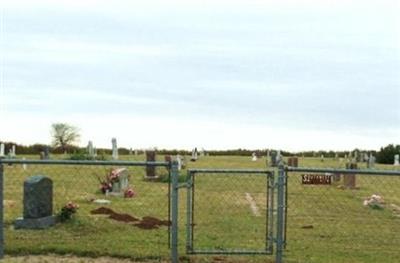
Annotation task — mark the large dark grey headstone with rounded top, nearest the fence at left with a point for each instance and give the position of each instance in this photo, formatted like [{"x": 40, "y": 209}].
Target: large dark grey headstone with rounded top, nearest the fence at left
[{"x": 38, "y": 204}]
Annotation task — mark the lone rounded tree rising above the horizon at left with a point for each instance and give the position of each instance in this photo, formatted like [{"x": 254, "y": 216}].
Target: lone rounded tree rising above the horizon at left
[{"x": 64, "y": 135}]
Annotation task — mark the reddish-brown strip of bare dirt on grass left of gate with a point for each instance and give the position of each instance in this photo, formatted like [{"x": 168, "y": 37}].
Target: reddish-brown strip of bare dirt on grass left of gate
[{"x": 147, "y": 222}]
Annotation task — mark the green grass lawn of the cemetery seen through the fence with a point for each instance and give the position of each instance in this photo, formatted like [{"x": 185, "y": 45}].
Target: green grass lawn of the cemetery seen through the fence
[{"x": 325, "y": 222}]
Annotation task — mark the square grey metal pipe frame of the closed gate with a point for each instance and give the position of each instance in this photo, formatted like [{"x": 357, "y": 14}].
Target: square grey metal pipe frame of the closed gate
[{"x": 190, "y": 185}]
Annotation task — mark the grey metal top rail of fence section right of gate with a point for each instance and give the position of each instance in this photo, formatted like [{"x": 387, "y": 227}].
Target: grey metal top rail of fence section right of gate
[{"x": 342, "y": 171}]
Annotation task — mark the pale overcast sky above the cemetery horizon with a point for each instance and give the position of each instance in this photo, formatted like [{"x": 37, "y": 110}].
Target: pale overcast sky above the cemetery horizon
[{"x": 291, "y": 75}]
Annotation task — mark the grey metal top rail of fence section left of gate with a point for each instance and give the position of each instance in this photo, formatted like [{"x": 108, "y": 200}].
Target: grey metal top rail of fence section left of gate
[{"x": 84, "y": 162}]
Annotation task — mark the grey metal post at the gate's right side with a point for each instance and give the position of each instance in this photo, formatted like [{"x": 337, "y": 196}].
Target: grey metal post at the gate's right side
[{"x": 280, "y": 213}]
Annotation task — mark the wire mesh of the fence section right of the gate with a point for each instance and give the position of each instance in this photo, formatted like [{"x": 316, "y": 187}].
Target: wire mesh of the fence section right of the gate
[{"x": 348, "y": 218}]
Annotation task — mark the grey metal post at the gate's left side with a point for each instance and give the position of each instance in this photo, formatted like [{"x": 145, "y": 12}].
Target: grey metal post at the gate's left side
[{"x": 174, "y": 212}]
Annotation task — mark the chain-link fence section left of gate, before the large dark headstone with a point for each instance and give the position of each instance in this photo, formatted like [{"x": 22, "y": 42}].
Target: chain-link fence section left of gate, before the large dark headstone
[{"x": 121, "y": 213}]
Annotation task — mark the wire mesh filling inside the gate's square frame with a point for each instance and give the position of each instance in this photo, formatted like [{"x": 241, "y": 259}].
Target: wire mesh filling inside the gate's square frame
[{"x": 229, "y": 213}]
